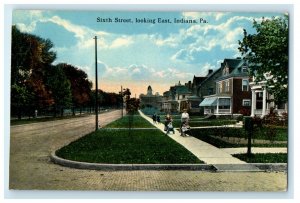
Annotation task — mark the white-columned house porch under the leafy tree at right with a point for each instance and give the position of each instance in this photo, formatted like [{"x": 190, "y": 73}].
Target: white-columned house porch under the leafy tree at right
[{"x": 262, "y": 100}]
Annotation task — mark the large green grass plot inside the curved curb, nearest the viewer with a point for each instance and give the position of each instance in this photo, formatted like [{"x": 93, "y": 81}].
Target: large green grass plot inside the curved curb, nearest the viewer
[{"x": 127, "y": 147}]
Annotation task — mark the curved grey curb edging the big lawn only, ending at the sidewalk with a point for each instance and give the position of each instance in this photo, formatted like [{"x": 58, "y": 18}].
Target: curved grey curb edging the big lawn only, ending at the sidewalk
[{"x": 125, "y": 167}]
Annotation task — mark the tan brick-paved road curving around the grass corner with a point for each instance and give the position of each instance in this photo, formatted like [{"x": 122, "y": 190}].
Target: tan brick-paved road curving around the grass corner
[{"x": 31, "y": 168}]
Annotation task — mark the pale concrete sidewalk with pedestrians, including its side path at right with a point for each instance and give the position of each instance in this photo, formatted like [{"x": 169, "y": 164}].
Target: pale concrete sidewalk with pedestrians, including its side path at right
[{"x": 220, "y": 158}]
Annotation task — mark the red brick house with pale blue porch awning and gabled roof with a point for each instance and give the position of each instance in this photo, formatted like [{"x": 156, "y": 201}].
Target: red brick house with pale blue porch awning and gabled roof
[{"x": 232, "y": 93}]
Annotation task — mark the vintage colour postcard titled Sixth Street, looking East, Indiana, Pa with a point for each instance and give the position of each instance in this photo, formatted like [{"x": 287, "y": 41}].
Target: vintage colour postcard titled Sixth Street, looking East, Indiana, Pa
[{"x": 149, "y": 101}]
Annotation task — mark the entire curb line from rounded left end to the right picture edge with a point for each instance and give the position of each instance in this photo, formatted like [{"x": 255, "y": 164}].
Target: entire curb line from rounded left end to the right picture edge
[{"x": 250, "y": 167}]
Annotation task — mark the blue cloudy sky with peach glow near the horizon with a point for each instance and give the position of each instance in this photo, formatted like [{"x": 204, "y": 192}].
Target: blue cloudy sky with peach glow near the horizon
[{"x": 136, "y": 55}]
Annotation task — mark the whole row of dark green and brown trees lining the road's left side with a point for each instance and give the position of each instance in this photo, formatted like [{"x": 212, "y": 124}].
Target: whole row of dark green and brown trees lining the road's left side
[{"x": 38, "y": 84}]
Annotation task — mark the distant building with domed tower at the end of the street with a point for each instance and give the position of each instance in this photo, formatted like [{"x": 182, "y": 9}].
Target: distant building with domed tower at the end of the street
[{"x": 150, "y": 100}]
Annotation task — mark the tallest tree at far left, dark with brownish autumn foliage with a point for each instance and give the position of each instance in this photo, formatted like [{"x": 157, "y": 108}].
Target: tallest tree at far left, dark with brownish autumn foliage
[{"x": 29, "y": 59}]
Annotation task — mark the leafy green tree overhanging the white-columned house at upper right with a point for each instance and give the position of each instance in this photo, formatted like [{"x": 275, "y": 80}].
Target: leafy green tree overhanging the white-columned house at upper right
[{"x": 267, "y": 54}]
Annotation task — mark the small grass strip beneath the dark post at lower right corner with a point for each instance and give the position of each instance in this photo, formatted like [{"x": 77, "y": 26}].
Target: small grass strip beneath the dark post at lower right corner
[{"x": 263, "y": 158}]
